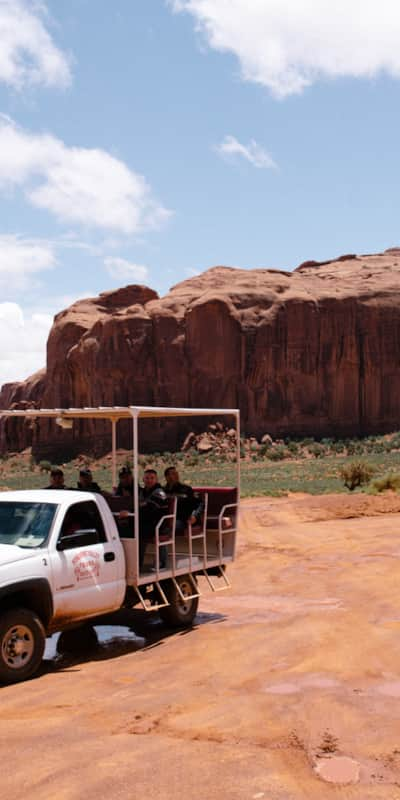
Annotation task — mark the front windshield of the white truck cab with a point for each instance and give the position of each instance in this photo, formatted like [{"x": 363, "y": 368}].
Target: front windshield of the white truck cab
[{"x": 25, "y": 524}]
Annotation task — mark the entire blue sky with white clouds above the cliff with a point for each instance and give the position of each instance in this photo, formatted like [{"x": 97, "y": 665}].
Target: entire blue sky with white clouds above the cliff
[{"x": 142, "y": 141}]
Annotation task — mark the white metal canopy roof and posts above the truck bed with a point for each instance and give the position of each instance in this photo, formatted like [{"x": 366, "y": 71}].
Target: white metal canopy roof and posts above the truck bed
[{"x": 65, "y": 416}]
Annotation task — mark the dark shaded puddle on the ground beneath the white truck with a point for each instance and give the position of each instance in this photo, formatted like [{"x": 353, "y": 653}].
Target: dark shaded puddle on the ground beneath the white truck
[{"x": 97, "y": 639}]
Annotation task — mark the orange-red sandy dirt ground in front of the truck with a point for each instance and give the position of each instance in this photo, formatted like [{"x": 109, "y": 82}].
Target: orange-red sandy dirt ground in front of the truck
[{"x": 287, "y": 688}]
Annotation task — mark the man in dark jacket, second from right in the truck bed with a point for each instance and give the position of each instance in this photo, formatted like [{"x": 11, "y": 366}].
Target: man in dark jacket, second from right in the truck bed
[{"x": 153, "y": 504}]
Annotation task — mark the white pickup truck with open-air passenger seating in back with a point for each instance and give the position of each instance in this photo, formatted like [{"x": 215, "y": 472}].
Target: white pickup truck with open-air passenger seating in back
[{"x": 63, "y": 560}]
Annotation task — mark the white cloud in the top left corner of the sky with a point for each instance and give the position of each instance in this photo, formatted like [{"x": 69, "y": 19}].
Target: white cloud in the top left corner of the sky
[{"x": 28, "y": 55}]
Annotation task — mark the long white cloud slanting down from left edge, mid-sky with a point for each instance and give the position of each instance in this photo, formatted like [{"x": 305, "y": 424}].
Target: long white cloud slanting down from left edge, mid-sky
[{"x": 81, "y": 185}]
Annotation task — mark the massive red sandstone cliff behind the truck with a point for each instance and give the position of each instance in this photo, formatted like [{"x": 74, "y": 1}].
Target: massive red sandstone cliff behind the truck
[{"x": 314, "y": 351}]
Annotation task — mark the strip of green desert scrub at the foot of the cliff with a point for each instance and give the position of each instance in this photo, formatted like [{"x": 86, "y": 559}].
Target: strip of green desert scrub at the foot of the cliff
[{"x": 269, "y": 467}]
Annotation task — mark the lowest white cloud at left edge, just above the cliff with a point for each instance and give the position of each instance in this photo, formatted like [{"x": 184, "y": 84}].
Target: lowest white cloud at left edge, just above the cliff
[{"x": 23, "y": 342}]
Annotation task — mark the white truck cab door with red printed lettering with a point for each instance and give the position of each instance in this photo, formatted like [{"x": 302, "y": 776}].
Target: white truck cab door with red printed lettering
[{"x": 85, "y": 578}]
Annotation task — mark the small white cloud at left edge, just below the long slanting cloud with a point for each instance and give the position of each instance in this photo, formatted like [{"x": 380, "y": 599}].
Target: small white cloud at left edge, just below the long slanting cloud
[{"x": 21, "y": 259}]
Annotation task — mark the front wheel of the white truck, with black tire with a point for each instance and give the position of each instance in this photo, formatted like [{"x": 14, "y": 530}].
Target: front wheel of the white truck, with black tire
[{"x": 22, "y": 643}]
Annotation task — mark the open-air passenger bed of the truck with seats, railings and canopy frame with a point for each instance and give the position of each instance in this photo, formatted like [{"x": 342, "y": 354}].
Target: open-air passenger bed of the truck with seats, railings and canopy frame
[{"x": 203, "y": 551}]
